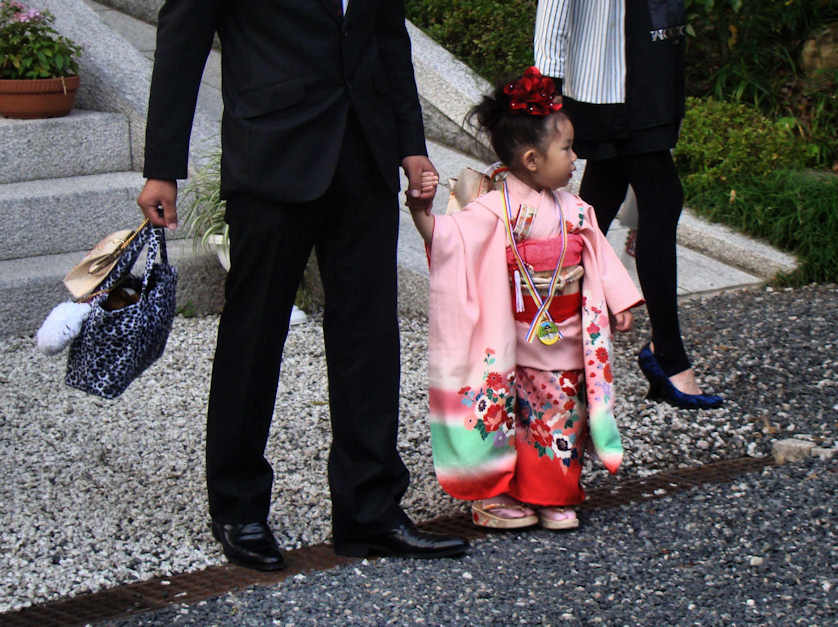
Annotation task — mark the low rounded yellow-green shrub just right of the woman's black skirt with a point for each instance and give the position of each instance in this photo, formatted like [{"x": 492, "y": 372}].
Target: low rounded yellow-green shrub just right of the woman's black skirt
[{"x": 728, "y": 141}]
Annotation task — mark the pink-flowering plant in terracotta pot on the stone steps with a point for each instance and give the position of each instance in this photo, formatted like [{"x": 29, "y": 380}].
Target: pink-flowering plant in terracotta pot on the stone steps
[{"x": 38, "y": 65}]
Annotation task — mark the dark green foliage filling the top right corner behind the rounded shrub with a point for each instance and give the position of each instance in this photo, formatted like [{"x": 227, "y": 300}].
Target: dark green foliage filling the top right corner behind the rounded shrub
[{"x": 750, "y": 51}]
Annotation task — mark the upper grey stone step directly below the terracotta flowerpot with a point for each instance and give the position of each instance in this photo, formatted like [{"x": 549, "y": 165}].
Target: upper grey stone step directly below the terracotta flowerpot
[{"x": 84, "y": 142}]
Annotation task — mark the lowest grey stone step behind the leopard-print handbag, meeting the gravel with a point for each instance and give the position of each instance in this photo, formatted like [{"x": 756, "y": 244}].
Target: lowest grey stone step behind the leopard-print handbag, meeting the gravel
[{"x": 31, "y": 287}]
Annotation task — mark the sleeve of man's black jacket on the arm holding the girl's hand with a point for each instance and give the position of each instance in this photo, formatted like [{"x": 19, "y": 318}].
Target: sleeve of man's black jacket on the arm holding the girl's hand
[{"x": 394, "y": 44}]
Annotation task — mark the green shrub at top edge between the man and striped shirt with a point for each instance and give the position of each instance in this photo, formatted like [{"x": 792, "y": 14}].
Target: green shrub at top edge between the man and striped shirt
[{"x": 493, "y": 37}]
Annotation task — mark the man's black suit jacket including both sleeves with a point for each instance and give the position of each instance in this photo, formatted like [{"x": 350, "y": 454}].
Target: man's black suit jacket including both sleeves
[{"x": 291, "y": 72}]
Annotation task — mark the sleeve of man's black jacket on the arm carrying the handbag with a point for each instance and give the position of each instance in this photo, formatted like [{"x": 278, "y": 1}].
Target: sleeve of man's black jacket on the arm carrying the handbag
[{"x": 184, "y": 38}]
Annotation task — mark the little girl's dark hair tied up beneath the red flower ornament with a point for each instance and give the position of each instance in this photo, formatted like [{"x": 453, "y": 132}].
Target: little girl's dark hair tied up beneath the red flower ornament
[{"x": 511, "y": 132}]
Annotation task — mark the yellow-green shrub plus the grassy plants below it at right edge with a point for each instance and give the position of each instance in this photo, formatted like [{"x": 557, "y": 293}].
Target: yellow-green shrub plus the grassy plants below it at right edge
[{"x": 746, "y": 171}]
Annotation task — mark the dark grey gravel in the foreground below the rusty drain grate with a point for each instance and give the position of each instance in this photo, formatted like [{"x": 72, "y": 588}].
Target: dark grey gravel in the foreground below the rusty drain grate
[{"x": 761, "y": 550}]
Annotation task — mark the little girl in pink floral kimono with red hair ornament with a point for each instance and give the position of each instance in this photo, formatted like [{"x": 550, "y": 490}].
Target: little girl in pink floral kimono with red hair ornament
[{"x": 520, "y": 348}]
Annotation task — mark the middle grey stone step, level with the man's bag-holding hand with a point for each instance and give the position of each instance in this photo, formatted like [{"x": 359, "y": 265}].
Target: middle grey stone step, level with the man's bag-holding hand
[{"x": 52, "y": 216}]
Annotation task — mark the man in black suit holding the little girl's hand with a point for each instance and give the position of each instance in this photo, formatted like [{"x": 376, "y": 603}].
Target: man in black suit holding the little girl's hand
[{"x": 320, "y": 108}]
